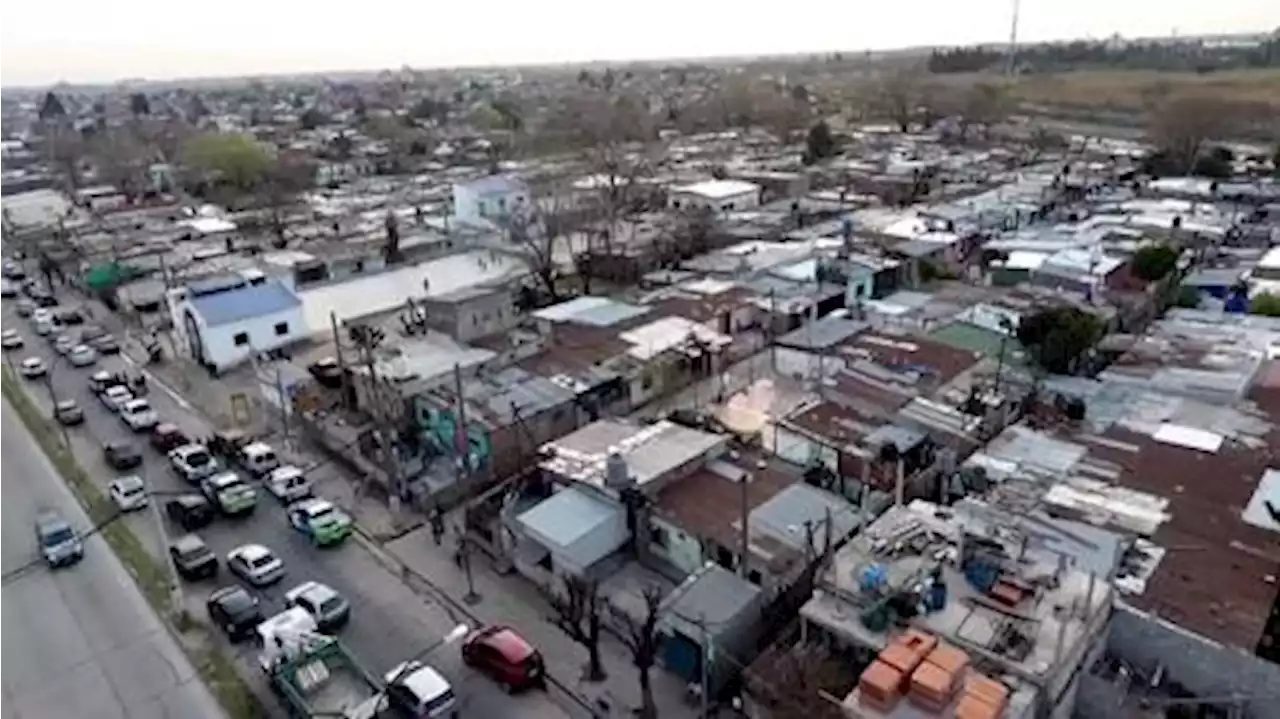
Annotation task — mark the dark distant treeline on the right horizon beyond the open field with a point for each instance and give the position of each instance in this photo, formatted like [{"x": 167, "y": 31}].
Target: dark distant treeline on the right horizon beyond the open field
[{"x": 1177, "y": 57}]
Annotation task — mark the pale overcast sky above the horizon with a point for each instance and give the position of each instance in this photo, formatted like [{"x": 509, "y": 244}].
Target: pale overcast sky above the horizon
[{"x": 43, "y": 43}]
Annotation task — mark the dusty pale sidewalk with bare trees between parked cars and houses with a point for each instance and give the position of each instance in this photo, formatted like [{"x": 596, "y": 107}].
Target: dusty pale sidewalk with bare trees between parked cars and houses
[{"x": 513, "y": 601}]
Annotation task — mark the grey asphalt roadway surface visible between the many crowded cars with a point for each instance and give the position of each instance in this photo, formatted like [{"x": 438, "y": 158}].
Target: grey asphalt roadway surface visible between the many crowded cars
[{"x": 391, "y": 622}]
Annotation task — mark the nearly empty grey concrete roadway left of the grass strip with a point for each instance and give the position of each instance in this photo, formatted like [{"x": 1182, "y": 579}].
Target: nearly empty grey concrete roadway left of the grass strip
[{"x": 80, "y": 642}]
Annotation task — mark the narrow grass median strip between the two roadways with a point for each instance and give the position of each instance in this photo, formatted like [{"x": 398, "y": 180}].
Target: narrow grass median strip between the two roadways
[{"x": 150, "y": 575}]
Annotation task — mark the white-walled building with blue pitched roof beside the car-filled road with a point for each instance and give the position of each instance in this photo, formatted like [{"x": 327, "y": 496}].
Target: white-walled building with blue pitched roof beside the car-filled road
[{"x": 221, "y": 324}]
